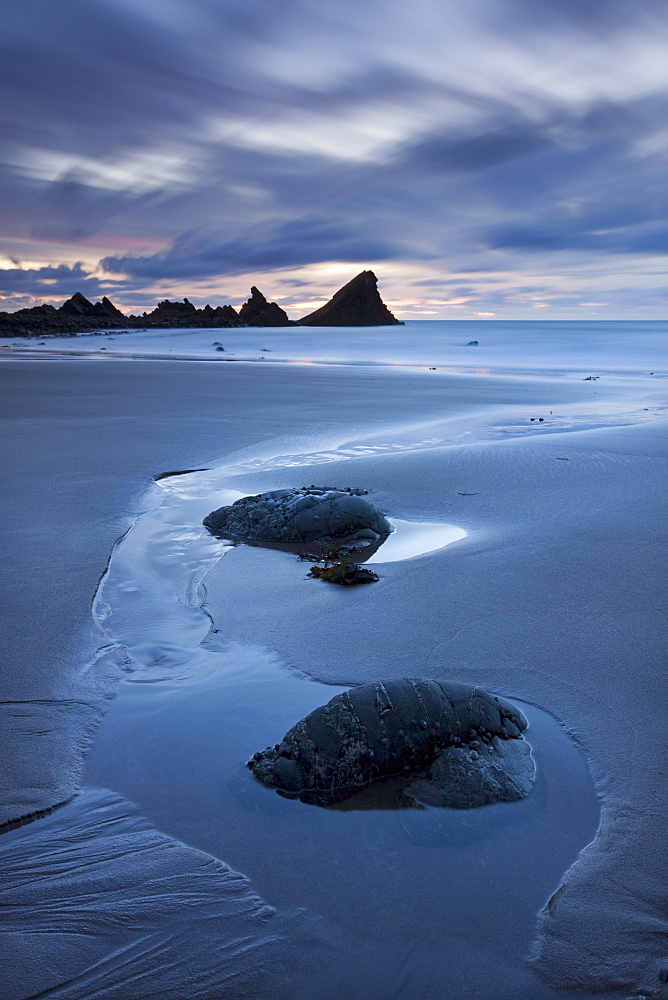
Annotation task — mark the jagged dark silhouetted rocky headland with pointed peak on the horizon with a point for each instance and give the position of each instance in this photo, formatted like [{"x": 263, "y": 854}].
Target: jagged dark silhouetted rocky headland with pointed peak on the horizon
[{"x": 356, "y": 304}]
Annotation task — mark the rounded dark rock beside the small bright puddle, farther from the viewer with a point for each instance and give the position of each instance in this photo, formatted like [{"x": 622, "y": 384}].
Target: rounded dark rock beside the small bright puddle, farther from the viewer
[{"x": 321, "y": 518}]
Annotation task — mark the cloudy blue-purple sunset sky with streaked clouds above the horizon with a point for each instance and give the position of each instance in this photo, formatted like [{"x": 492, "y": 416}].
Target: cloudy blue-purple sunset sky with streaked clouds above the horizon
[{"x": 487, "y": 159}]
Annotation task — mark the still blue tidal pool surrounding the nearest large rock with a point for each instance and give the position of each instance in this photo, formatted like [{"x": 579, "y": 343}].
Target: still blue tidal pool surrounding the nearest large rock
[{"x": 390, "y": 874}]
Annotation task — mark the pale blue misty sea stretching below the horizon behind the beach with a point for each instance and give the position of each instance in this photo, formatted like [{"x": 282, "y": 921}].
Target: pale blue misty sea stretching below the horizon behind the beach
[{"x": 548, "y": 347}]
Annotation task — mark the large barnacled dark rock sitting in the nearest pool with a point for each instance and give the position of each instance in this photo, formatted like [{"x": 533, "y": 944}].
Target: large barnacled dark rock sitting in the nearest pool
[{"x": 421, "y": 730}]
